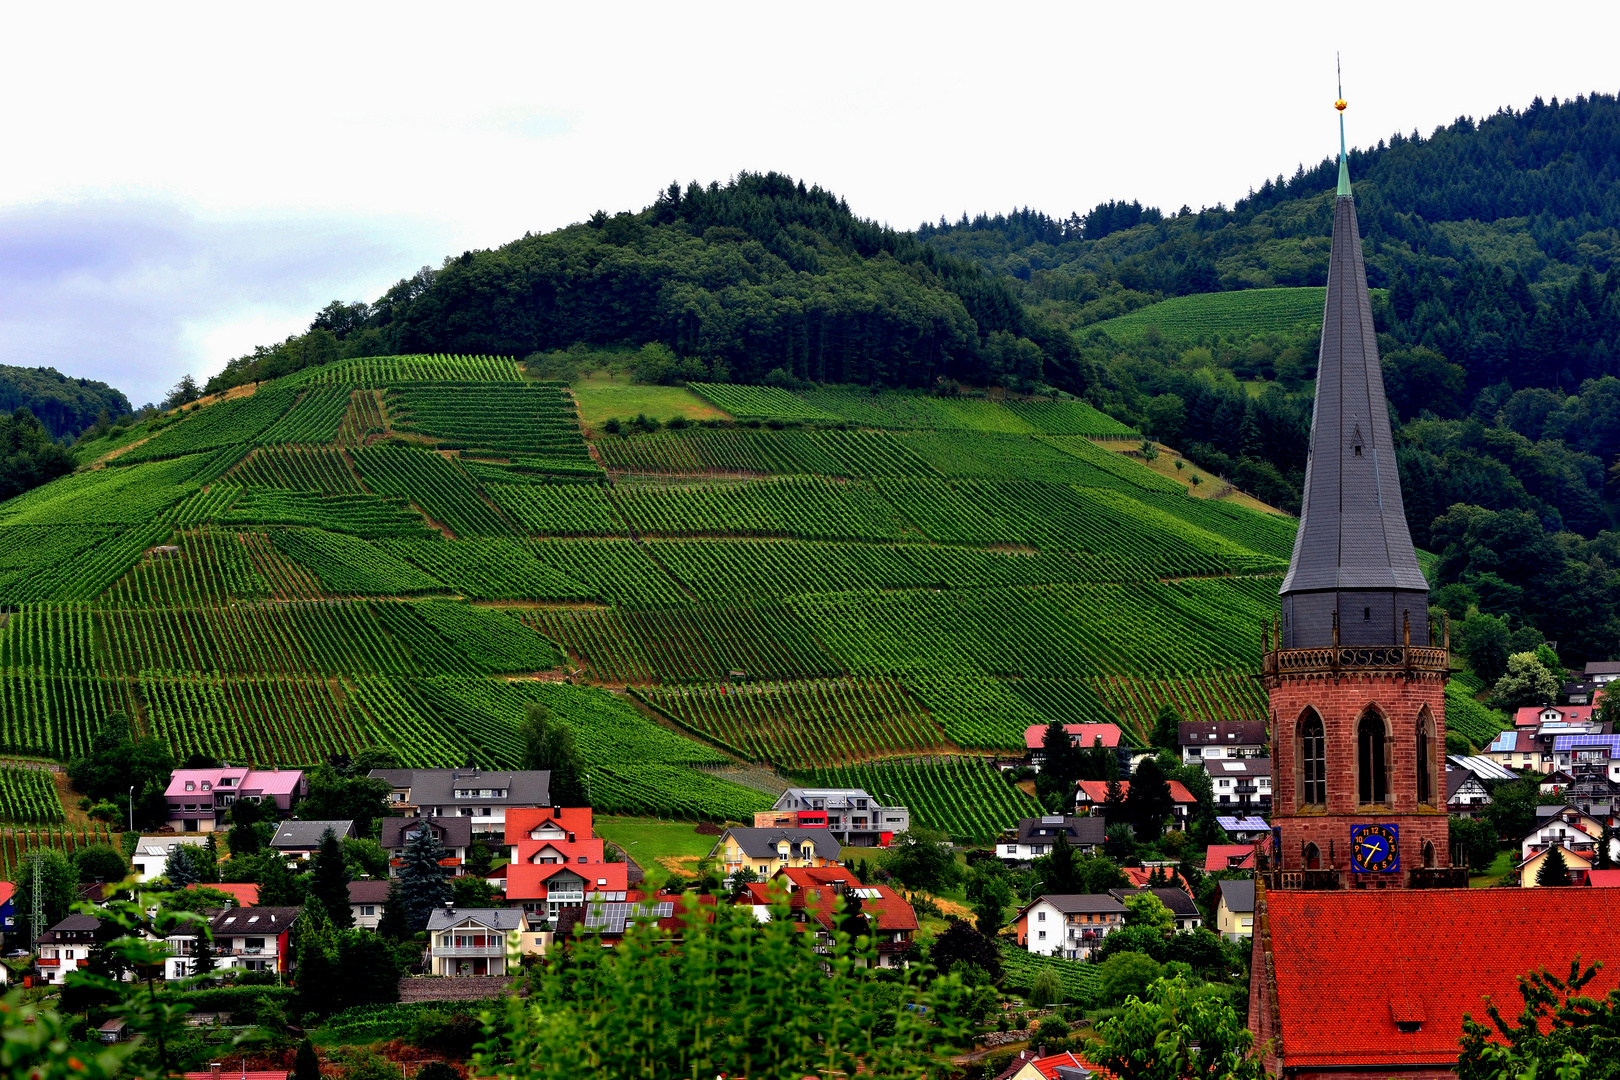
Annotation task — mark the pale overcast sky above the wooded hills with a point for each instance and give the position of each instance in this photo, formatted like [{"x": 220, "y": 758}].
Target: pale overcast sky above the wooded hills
[{"x": 182, "y": 185}]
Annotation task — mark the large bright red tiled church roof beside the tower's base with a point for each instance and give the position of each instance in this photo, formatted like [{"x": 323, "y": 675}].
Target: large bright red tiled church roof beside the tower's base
[{"x": 1349, "y": 963}]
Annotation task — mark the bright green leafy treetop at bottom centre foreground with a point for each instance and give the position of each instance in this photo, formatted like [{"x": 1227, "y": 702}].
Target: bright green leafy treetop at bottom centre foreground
[{"x": 733, "y": 998}]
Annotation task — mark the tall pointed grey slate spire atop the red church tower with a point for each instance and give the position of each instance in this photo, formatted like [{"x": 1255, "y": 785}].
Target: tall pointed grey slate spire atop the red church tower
[{"x": 1354, "y": 559}]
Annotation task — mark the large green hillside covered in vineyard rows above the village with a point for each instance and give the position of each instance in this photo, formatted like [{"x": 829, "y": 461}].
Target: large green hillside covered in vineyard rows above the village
[{"x": 406, "y": 551}]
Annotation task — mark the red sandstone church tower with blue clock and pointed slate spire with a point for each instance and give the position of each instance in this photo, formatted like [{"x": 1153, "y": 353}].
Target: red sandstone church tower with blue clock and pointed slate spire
[{"x": 1357, "y": 687}]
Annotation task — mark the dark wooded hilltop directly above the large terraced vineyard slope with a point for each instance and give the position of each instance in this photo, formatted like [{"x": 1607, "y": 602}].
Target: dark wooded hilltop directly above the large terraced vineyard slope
[{"x": 757, "y": 276}]
